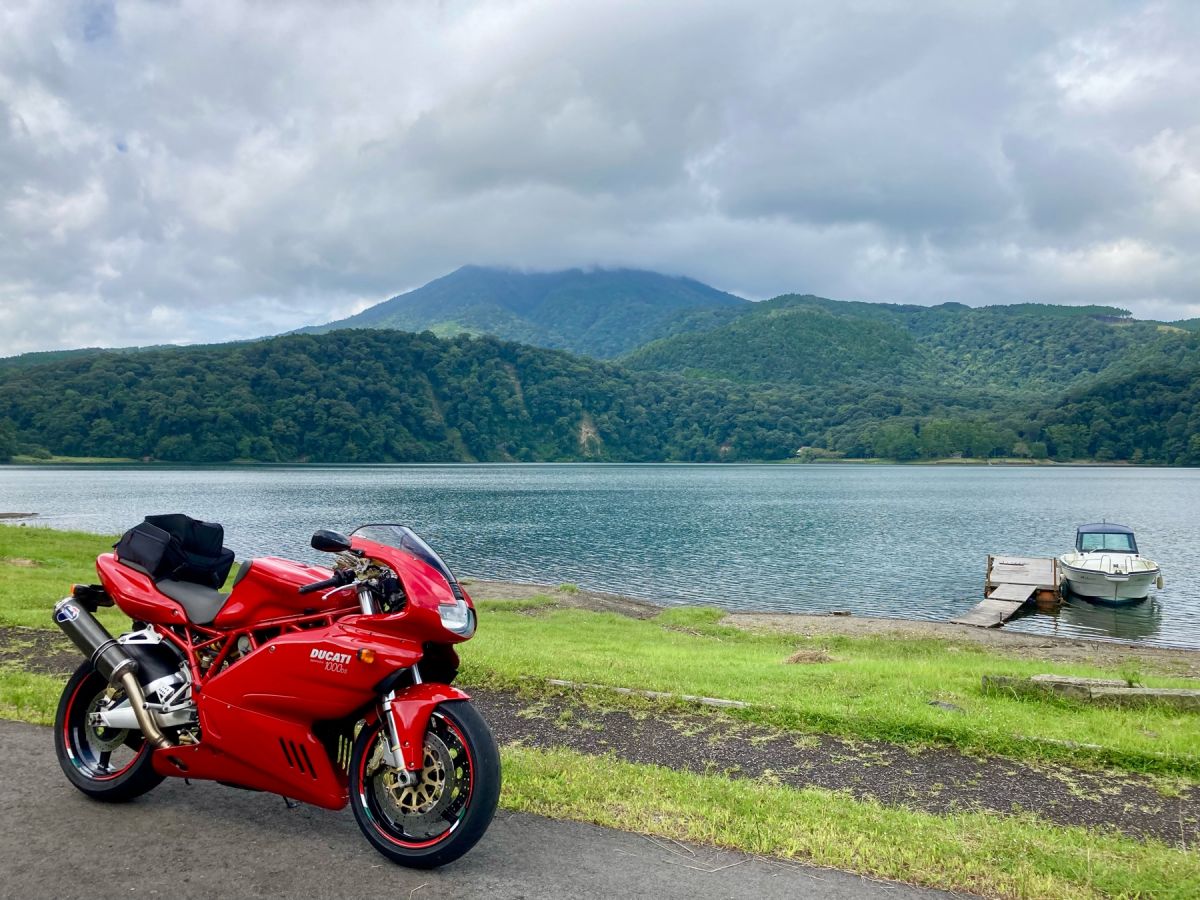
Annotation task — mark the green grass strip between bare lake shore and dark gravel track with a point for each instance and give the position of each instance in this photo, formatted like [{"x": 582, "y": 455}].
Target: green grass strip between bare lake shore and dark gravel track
[{"x": 878, "y": 688}]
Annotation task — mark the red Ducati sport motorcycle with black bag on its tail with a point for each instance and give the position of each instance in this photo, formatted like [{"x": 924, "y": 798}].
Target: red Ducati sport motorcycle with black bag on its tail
[{"x": 325, "y": 686}]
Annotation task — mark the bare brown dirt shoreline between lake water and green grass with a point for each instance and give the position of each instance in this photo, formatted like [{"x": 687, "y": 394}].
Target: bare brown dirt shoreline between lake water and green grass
[{"x": 1173, "y": 661}]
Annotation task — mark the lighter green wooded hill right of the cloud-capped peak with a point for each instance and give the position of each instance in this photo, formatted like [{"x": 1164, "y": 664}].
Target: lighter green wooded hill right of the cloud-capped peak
[{"x": 1004, "y": 351}]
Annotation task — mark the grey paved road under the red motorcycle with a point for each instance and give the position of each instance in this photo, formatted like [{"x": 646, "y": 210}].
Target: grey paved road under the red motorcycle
[{"x": 212, "y": 842}]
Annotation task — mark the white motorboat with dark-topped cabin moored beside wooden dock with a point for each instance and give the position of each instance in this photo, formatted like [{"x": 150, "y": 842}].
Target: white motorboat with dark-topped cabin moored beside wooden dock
[{"x": 1106, "y": 566}]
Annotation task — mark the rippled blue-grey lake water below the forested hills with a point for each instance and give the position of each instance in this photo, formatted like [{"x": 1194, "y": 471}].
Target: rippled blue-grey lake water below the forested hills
[{"x": 880, "y": 541}]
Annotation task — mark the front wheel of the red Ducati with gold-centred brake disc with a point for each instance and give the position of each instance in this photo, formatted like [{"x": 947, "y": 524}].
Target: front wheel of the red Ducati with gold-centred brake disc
[{"x": 447, "y": 811}]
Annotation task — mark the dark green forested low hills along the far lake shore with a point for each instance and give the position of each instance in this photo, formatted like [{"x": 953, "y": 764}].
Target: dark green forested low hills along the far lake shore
[{"x": 393, "y": 397}]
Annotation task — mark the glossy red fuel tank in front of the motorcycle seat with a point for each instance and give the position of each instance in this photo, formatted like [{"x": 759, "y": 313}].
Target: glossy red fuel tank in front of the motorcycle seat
[{"x": 271, "y": 591}]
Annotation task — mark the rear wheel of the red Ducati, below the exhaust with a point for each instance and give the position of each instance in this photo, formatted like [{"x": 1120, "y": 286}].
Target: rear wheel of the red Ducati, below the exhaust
[{"x": 106, "y": 765}]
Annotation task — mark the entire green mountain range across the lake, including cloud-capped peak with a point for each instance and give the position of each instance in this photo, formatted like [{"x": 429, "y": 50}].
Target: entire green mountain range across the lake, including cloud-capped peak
[{"x": 722, "y": 380}]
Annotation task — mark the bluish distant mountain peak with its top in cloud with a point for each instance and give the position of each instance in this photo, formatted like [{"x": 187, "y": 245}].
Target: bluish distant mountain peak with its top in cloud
[{"x": 597, "y": 313}]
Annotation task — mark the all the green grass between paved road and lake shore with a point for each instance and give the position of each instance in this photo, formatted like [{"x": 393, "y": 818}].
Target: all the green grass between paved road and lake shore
[{"x": 875, "y": 688}]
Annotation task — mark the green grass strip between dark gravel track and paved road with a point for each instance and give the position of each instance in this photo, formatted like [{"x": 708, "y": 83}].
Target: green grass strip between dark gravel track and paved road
[{"x": 997, "y": 856}]
